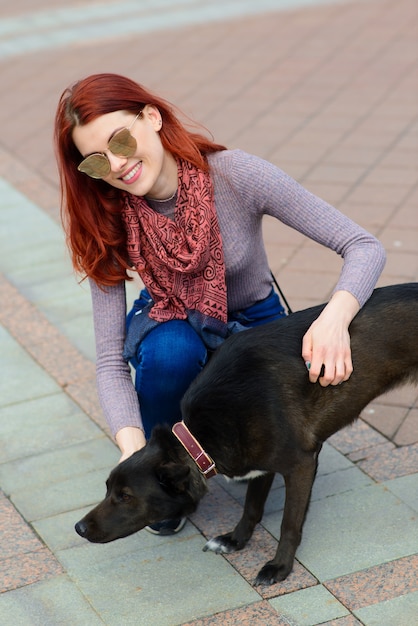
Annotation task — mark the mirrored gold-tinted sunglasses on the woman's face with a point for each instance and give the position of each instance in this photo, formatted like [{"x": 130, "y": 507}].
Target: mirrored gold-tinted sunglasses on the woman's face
[{"x": 97, "y": 165}]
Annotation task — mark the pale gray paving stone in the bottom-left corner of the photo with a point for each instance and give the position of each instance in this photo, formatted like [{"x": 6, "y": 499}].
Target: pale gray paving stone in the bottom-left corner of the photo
[{"x": 54, "y": 602}]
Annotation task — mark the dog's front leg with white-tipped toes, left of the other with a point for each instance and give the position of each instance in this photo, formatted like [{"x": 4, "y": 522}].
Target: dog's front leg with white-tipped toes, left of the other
[{"x": 257, "y": 492}]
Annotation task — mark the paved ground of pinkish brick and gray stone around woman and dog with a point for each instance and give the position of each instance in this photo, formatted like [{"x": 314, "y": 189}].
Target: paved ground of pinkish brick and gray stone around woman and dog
[{"x": 326, "y": 91}]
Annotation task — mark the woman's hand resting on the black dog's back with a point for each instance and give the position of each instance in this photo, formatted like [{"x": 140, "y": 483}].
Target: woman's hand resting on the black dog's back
[{"x": 326, "y": 345}]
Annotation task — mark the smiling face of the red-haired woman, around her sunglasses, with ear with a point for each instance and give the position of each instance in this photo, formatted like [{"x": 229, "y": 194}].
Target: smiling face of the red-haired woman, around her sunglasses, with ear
[{"x": 151, "y": 171}]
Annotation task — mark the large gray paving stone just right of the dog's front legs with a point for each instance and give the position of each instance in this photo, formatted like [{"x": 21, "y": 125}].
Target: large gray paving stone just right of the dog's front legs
[{"x": 354, "y": 530}]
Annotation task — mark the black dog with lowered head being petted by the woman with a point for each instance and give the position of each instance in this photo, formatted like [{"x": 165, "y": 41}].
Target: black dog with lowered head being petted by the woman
[{"x": 254, "y": 410}]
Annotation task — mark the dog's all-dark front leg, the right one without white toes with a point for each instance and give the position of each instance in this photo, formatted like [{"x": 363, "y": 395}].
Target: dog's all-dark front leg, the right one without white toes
[{"x": 298, "y": 491}]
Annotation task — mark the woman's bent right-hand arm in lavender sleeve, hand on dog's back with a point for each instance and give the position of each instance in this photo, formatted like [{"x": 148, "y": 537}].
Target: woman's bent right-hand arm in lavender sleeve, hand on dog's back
[{"x": 327, "y": 342}]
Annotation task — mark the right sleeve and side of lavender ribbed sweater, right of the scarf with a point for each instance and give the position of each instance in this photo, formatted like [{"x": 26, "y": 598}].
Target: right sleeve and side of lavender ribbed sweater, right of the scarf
[{"x": 246, "y": 188}]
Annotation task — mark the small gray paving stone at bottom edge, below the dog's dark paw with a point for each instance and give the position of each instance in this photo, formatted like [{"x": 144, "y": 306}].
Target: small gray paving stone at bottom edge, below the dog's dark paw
[{"x": 309, "y": 607}]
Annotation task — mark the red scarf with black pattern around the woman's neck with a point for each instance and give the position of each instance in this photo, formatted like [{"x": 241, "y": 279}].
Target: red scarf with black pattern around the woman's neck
[{"x": 181, "y": 262}]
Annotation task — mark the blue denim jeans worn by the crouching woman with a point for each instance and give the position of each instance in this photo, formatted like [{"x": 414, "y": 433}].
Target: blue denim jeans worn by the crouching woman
[{"x": 172, "y": 354}]
